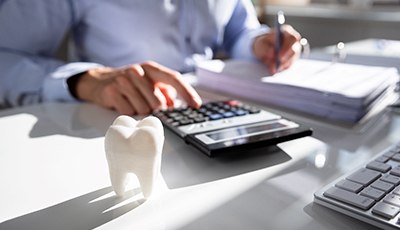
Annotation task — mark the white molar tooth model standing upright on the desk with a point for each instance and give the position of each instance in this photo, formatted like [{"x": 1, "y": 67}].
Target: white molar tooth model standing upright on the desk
[{"x": 134, "y": 147}]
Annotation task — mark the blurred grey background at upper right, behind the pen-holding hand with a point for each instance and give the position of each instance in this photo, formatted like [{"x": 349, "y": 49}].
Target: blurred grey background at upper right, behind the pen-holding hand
[{"x": 326, "y": 22}]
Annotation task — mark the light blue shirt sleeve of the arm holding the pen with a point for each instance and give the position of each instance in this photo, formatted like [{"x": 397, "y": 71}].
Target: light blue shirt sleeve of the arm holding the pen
[{"x": 241, "y": 30}]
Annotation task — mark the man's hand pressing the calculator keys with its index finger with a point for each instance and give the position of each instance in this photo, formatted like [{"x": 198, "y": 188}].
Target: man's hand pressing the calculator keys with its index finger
[{"x": 136, "y": 89}]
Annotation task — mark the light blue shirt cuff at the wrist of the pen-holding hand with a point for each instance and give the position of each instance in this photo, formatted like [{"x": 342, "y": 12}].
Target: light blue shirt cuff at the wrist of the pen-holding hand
[{"x": 243, "y": 49}]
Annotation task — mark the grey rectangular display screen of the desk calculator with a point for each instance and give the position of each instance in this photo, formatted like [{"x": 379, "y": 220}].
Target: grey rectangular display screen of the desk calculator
[{"x": 244, "y": 131}]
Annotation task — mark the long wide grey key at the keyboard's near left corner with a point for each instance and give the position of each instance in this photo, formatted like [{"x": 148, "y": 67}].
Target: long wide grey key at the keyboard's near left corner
[{"x": 349, "y": 198}]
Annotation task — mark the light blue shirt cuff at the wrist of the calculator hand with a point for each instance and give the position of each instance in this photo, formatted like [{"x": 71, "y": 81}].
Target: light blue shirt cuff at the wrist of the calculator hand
[{"x": 55, "y": 86}]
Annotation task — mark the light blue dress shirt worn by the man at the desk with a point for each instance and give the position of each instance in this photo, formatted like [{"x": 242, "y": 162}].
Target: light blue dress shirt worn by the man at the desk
[{"x": 174, "y": 33}]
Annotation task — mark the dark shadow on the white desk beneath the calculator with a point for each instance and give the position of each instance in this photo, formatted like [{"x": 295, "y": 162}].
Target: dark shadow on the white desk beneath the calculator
[{"x": 183, "y": 165}]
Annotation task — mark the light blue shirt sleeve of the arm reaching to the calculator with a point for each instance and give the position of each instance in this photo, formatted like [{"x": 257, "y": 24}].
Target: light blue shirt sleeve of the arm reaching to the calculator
[{"x": 31, "y": 32}]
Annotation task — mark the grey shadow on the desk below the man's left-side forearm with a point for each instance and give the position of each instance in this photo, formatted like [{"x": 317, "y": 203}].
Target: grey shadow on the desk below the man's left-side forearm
[{"x": 72, "y": 119}]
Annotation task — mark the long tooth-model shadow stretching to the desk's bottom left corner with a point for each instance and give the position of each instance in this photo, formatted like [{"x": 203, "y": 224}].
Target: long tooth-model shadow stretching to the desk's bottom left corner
[{"x": 84, "y": 212}]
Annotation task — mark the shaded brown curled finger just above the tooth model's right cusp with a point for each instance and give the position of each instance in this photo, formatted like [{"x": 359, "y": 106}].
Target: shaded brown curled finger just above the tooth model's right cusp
[{"x": 132, "y": 94}]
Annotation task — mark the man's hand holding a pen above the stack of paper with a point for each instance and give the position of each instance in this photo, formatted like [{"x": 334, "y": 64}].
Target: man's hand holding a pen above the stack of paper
[{"x": 263, "y": 48}]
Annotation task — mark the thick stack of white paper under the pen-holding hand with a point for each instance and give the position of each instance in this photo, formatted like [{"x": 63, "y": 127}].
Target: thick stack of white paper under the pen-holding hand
[{"x": 336, "y": 91}]
